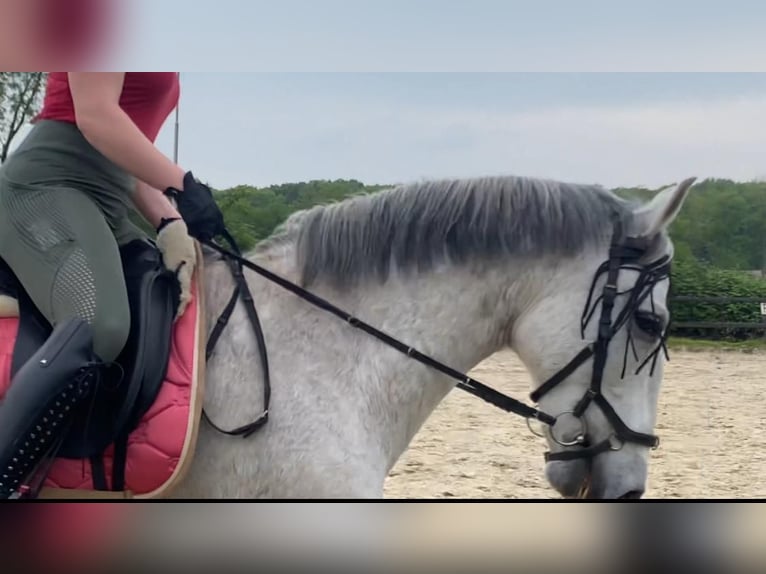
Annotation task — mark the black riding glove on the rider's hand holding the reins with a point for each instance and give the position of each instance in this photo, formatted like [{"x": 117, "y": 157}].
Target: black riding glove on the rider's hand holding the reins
[{"x": 198, "y": 209}]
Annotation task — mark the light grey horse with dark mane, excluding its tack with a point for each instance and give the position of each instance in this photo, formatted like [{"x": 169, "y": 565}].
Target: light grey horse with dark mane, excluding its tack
[{"x": 459, "y": 269}]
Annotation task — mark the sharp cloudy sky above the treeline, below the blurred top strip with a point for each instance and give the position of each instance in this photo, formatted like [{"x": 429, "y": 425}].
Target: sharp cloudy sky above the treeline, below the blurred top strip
[{"x": 615, "y": 129}]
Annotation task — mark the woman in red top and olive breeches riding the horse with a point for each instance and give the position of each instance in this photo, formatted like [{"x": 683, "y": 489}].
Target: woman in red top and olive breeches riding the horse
[{"x": 65, "y": 198}]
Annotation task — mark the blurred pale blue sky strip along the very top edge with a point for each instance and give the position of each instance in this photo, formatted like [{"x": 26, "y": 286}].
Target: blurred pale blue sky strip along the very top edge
[{"x": 443, "y": 35}]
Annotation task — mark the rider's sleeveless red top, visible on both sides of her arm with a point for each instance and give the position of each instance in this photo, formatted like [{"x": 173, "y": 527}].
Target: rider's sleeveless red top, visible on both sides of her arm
[{"x": 147, "y": 98}]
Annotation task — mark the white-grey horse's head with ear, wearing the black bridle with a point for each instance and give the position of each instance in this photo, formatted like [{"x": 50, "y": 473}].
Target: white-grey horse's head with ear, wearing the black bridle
[{"x": 594, "y": 340}]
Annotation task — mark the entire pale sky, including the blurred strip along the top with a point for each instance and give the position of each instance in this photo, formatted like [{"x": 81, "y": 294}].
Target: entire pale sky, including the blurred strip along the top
[{"x": 595, "y": 91}]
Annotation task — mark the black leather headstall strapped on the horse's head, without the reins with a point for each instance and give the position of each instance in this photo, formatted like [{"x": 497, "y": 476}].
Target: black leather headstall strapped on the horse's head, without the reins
[{"x": 623, "y": 254}]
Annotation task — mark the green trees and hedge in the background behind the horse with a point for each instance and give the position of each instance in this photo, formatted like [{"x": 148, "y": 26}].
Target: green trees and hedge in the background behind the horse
[{"x": 720, "y": 233}]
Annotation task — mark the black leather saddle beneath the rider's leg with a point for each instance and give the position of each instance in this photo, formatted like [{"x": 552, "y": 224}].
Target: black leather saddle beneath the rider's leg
[{"x": 129, "y": 387}]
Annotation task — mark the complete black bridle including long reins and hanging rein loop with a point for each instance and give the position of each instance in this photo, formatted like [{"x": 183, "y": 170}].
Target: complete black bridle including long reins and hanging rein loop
[{"x": 623, "y": 254}]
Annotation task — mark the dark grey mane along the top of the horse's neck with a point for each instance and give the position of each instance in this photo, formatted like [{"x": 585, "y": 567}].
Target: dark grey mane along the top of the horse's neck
[{"x": 418, "y": 225}]
